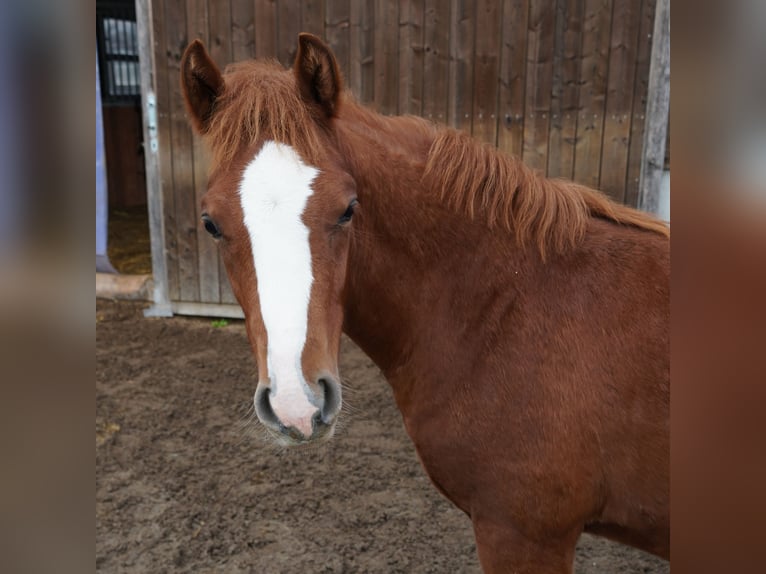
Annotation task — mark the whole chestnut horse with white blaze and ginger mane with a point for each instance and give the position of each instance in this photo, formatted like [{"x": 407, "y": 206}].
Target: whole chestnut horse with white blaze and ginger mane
[{"x": 522, "y": 322}]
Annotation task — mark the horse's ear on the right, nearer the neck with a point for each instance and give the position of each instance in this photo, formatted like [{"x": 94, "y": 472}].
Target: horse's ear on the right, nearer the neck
[{"x": 316, "y": 70}]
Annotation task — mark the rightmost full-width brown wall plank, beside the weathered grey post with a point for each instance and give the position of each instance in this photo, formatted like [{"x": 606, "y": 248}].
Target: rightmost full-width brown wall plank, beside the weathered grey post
[{"x": 619, "y": 97}]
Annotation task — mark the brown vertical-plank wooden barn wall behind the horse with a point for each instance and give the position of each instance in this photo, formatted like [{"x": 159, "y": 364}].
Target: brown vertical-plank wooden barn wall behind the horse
[{"x": 561, "y": 83}]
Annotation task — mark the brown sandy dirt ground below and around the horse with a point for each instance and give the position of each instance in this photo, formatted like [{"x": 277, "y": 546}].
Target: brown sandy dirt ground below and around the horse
[{"x": 186, "y": 481}]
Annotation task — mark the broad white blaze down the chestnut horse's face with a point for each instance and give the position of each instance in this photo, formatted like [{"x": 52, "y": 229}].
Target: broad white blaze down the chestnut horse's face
[{"x": 274, "y": 190}]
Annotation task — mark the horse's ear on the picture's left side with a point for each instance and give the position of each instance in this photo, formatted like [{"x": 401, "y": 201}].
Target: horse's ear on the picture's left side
[{"x": 201, "y": 82}]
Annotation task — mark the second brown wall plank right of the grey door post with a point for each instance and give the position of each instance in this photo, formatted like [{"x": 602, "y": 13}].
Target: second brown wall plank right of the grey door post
[{"x": 183, "y": 162}]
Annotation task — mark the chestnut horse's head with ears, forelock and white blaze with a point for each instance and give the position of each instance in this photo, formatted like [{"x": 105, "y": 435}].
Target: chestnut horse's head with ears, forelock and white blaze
[{"x": 280, "y": 205}]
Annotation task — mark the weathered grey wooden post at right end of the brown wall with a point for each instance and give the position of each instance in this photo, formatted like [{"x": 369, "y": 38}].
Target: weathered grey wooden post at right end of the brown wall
[{"x": 657, "y": 111}]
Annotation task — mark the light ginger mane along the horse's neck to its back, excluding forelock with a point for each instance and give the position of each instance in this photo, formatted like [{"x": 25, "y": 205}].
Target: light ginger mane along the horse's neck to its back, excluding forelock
[{"x": 478, "y": 180}]
